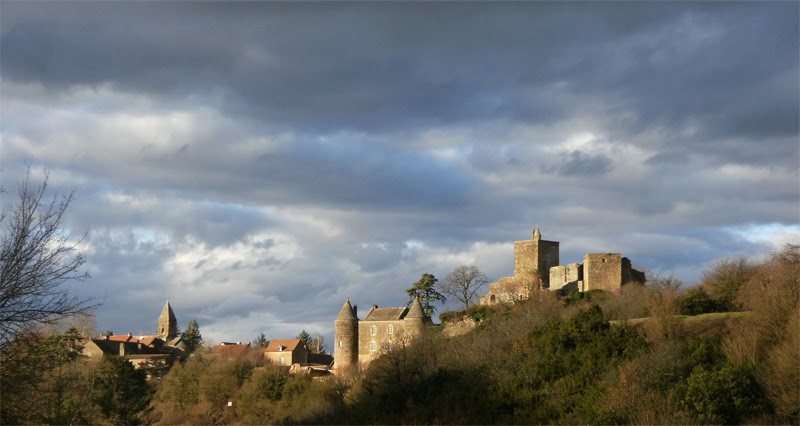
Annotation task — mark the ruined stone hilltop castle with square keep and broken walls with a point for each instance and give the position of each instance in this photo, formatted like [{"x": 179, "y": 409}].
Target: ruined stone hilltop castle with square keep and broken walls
[{"x": 536, "y": 265}]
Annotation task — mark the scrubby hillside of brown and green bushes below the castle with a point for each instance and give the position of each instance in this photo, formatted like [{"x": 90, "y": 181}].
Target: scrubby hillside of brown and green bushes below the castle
[{"x": 725, "y": 351}]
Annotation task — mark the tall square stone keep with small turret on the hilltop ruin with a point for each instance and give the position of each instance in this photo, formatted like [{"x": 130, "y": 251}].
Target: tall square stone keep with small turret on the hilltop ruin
[{"x": 535, "y": 257}]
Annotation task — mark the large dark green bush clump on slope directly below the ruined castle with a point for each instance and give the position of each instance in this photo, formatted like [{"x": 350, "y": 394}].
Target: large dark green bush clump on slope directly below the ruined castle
[{"x": 560, "y": 366}]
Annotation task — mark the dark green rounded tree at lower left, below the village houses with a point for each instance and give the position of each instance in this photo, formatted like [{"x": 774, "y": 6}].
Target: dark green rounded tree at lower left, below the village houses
[{"x": 120, "y": 392}]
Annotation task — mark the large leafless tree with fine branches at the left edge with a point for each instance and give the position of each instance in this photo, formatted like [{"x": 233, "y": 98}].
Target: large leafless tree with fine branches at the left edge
[{"x": 36, "y": 259}]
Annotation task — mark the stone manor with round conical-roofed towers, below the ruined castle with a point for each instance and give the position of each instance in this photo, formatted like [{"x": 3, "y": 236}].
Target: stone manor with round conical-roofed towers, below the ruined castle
[{"x": 358, "y": 342}]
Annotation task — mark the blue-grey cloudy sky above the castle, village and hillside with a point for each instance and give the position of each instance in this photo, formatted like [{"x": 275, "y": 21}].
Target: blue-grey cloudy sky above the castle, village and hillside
[{"x": 257, "y": 163}]
